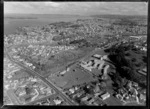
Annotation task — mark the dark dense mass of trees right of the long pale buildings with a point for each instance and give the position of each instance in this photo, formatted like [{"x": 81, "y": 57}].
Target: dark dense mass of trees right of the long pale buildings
[{"x": 124, "y": 67}]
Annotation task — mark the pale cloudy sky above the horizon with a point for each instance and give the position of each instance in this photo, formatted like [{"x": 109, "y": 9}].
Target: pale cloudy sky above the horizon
[{"x": 77, "y": 8}]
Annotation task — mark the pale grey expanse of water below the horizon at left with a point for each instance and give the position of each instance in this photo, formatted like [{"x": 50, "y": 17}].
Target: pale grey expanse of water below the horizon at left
[{"x": 10, "y": 25}]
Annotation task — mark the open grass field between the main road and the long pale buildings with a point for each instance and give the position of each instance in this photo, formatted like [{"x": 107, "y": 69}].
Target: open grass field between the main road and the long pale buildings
[{"x": 73, "y": 77}]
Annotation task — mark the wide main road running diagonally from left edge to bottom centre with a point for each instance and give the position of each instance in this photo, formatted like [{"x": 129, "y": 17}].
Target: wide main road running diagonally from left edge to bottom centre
[{"x": 58, "y": 90}]
